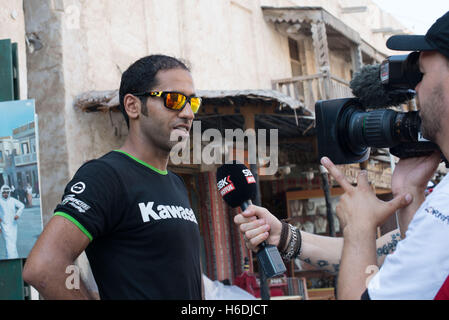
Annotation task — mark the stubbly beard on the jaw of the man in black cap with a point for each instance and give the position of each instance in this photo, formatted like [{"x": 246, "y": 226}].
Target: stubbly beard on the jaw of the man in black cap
[{"x": 432, "y": 112}]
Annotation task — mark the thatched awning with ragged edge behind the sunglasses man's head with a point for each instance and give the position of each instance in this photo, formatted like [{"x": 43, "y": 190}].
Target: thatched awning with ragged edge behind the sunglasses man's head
[{"x": 289, "y": 115}]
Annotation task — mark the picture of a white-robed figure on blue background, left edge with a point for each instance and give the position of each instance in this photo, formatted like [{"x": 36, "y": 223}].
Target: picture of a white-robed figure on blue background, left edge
[{"x": 20, "y": 202}]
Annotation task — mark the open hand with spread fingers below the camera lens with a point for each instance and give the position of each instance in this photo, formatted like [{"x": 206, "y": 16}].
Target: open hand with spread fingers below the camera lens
[{"x": 359, "y": 210}]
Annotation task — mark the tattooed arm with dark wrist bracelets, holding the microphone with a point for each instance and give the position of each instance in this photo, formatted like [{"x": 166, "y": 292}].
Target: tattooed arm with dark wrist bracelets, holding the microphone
[{"x": 321, "y": 252}]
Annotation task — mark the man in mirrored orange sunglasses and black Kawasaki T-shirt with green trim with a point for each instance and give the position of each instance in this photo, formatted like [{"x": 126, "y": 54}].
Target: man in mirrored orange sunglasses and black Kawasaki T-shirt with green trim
[{"x": 130, "y": 214}]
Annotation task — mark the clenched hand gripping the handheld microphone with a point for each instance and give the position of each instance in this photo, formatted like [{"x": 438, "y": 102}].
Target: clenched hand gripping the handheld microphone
[{"x": 257, "y": 225}]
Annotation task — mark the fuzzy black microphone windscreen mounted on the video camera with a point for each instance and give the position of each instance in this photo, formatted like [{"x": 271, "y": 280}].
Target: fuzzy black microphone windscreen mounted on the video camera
[{"x": 367, "y": 86}]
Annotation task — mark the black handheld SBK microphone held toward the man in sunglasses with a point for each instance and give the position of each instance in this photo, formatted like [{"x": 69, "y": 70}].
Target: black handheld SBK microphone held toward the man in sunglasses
[{"x": 237, "y": 186}]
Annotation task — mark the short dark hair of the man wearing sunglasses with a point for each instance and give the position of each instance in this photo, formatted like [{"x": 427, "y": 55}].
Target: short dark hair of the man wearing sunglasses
[{"x": 141, "y": 76}]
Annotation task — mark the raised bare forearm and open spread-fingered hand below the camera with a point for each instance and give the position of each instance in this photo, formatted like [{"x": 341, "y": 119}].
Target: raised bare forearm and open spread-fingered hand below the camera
[{"x": 360, "y": 213}]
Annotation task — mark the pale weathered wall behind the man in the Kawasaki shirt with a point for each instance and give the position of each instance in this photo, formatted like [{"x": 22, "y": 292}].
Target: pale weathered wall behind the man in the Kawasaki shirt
[{"x": 88, "y": 44}]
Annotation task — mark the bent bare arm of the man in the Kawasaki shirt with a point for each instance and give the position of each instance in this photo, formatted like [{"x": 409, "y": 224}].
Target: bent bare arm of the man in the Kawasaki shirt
[{"x": 57, "y": 247}]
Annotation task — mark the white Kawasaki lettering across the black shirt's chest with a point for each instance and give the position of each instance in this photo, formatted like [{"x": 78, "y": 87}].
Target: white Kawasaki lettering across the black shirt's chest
[{"x": 165, "y": 212}]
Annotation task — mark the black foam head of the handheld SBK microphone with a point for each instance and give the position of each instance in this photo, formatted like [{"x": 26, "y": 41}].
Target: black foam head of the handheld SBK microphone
[{"x": 236, "y": 183}]
